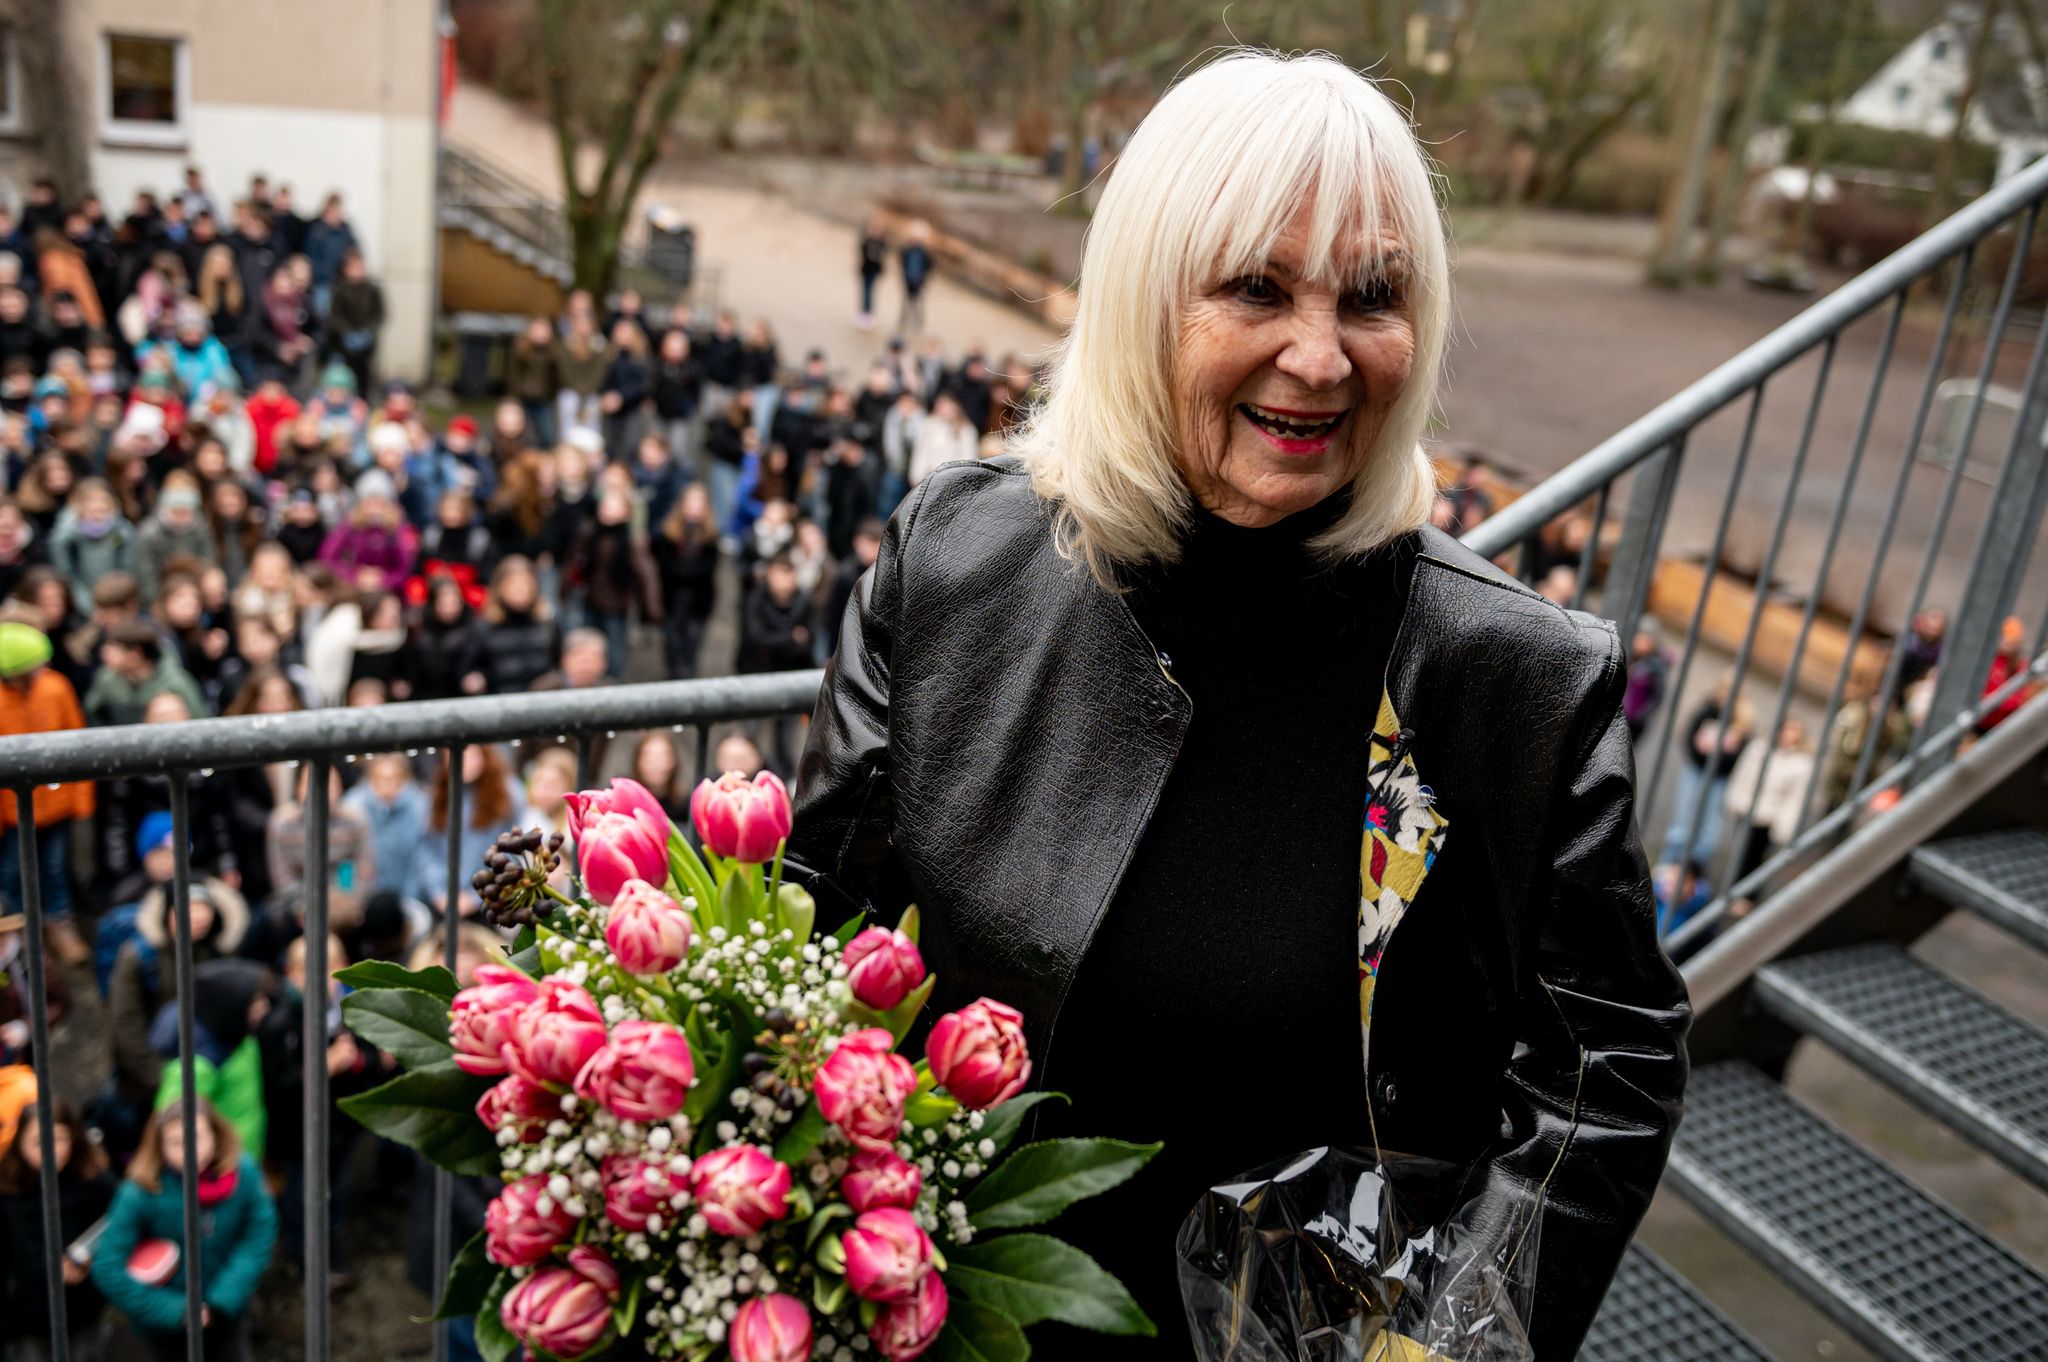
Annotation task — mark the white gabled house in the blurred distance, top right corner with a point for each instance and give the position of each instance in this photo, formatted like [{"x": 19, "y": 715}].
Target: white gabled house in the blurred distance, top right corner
[{"x": 1920, "y": 87}]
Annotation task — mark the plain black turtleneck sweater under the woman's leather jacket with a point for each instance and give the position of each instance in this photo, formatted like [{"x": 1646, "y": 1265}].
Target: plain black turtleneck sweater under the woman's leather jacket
[{"x": 1218, "y": 1009}]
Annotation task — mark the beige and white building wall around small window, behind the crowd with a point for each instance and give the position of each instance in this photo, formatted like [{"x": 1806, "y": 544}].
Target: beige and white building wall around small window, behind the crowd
[{"x": 321, "y": 95}]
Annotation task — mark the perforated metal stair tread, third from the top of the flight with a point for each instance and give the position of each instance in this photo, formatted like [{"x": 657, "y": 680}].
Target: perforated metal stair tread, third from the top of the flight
[{"x": 1891, "y": 1265}]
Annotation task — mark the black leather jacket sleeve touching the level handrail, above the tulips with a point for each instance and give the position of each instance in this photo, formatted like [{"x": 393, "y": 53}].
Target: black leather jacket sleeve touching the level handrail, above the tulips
[{"x": 841, "y": 847}]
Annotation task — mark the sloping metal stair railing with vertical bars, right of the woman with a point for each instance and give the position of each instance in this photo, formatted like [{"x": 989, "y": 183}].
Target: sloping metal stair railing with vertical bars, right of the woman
[{"x": 1619, "y": 566}]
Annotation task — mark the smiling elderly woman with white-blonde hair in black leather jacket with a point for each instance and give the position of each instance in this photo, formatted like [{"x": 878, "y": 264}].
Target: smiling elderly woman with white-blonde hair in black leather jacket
[{"x": 1170, "y": 716}]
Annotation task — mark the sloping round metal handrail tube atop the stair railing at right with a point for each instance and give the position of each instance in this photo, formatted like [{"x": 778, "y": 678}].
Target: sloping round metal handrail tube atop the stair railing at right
[{"x": 1738, "y": 376}]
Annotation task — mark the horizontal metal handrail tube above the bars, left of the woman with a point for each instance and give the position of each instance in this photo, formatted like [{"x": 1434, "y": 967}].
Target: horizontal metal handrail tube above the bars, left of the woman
[{"x": 255, "y": 740}]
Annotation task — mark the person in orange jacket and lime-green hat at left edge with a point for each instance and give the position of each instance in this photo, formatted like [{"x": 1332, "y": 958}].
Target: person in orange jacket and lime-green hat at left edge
[{"x": 38, "y": 699}]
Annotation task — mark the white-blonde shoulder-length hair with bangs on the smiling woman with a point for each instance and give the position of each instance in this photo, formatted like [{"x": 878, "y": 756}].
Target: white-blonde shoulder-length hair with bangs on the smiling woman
[{"x": 1211, "y": 179}]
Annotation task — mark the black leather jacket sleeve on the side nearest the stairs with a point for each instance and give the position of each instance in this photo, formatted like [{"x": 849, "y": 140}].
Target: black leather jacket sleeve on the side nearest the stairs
[{"x": 1594, "y": 1095}]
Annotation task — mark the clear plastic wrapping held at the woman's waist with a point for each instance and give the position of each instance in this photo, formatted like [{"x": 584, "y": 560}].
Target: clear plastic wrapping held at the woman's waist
[{"x": 1345, "y": 1257}]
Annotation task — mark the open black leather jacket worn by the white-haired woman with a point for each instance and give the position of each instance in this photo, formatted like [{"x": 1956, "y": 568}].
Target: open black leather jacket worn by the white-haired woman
[{"x": 996, "y": 730}]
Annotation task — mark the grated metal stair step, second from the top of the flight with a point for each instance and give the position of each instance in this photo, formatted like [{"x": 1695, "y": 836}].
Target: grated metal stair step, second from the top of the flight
[{"x": 1947, "y": 1048}]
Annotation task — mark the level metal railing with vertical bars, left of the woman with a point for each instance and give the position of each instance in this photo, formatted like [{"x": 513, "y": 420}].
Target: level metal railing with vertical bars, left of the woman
[{"x": 318, "y": 738}]
